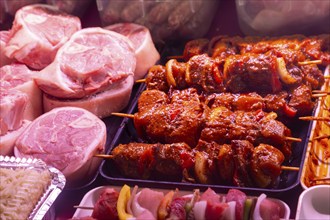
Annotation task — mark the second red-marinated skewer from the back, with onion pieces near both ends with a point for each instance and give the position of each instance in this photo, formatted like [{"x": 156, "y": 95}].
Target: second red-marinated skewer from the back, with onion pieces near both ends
[{"x": 262, "y": 73}]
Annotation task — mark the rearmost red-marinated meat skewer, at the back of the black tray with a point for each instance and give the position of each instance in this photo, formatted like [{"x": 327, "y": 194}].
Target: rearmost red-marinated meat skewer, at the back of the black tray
[{"x": 297, "y": 48}]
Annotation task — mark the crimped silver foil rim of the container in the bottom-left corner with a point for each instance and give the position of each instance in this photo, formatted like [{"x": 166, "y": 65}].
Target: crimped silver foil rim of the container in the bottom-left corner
[{"x": 56, "y": 186}]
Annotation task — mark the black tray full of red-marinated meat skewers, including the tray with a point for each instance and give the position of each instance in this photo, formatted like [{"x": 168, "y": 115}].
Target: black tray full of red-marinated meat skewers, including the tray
[{"x": 194, "y": 128}]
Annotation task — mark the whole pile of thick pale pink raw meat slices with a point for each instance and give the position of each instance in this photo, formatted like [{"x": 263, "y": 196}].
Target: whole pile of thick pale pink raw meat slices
[{"x": 58, "y": 81}]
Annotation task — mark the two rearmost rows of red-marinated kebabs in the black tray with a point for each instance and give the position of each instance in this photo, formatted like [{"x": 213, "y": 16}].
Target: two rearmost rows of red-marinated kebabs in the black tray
[{"x": 235, "y": 64}]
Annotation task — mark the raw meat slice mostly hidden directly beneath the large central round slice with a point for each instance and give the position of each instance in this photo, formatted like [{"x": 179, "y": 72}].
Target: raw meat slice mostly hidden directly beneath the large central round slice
[{"x": 101, "y": 104}]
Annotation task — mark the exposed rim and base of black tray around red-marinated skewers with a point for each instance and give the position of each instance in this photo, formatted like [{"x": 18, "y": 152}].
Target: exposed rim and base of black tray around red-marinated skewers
[{"x": 127, "y": 133}]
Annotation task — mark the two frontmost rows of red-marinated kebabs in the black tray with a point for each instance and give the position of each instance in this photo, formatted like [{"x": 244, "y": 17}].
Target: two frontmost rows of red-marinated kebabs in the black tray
[{"x": 203, "y": 144}]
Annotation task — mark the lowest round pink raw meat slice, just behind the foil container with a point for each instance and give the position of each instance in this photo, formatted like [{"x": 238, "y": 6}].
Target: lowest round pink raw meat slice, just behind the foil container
[{"x": 66, "y": 138}]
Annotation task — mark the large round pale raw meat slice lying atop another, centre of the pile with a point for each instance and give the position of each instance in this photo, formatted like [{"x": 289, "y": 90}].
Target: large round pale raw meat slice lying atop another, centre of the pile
[{"x": 90, "y": 62}]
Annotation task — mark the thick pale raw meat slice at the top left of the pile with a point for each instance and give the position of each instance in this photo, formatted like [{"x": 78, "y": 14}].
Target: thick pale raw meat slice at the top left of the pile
[{"x": 37, "y": 33}]
